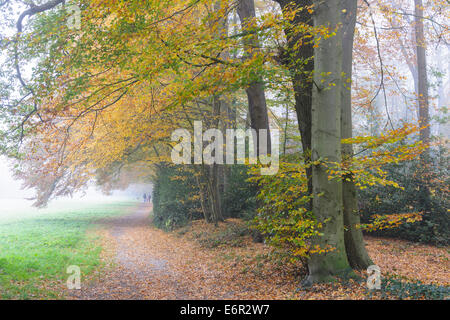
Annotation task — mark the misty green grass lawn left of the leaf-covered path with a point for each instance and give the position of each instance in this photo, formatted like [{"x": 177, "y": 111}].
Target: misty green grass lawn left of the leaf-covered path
[{"x": 36, "y": 249}]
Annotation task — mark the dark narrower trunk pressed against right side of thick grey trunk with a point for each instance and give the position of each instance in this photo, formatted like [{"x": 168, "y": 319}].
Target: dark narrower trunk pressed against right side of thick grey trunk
[{"x": 354, "y": 243}]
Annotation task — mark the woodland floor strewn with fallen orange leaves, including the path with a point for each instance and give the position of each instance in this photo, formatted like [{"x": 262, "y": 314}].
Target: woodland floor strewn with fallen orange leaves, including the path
[{"x": 144, "y": 262}]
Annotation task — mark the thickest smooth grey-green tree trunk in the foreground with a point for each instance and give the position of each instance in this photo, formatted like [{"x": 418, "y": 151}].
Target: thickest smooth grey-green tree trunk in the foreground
[{"x": 326, "y": 146}]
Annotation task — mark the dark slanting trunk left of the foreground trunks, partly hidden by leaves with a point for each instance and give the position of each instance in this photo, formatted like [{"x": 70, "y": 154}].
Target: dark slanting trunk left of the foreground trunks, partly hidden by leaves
[{"x": 259, "y": 118}]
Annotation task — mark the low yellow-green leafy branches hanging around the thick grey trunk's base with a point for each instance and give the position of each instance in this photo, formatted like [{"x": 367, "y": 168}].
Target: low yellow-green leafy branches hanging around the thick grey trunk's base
[{"x": 283, "y": 216}]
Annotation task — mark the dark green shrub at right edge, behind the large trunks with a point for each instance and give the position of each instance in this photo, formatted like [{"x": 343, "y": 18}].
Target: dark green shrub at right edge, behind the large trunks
[{"x": 434, "y": 228}]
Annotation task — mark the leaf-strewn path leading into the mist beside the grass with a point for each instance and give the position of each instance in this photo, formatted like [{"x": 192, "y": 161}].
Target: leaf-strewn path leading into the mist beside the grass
[{"x": 140, "y": 269}]
